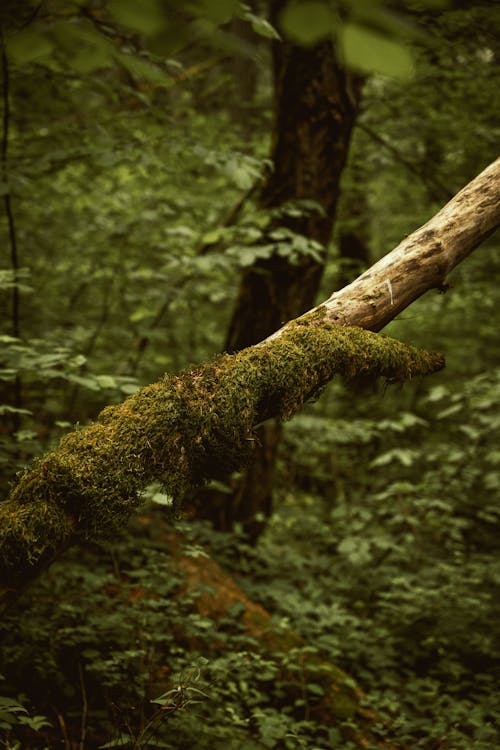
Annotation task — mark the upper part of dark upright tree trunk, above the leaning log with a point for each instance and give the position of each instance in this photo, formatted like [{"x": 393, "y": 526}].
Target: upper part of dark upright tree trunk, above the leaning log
[{"x": 315, "y": 110}]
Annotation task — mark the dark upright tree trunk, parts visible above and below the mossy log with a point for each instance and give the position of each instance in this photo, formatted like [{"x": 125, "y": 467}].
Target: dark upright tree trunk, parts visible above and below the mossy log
[{"x": 316, "y": 103}]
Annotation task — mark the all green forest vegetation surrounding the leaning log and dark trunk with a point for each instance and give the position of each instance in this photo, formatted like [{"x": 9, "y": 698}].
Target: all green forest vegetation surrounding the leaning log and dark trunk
[{"x": 366, "y": 613}]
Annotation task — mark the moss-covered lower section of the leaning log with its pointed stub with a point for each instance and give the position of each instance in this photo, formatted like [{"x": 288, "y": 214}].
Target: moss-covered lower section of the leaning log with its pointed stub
[{"x": 181, "y": 431}]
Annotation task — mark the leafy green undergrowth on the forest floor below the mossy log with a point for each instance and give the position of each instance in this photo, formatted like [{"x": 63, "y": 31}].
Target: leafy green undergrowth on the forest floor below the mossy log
[{"x": 386, "y": 566}]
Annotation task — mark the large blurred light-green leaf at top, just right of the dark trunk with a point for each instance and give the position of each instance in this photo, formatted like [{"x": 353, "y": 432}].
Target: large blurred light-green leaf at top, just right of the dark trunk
[{"x": 372, "y": 52}]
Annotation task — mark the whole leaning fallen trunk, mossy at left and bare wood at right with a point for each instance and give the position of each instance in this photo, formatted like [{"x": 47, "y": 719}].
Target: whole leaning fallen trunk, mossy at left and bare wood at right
[{"x": 201, "y": 424}]
